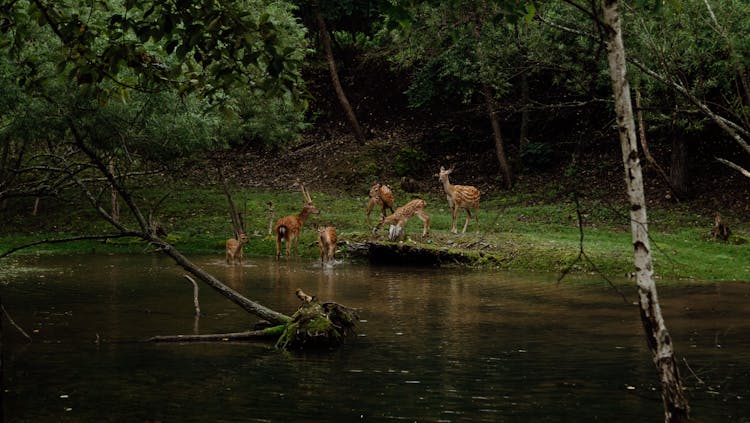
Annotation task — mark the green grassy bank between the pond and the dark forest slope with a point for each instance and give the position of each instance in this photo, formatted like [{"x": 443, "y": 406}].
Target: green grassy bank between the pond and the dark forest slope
[{"x": 515, "y": 232}]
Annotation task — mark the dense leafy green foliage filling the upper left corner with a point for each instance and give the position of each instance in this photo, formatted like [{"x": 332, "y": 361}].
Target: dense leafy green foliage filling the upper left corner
[{"x": 140, "y": 86}]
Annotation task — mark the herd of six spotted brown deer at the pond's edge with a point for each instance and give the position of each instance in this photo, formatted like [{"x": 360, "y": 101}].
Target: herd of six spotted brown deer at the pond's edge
[{"x": 288, "y": 228}]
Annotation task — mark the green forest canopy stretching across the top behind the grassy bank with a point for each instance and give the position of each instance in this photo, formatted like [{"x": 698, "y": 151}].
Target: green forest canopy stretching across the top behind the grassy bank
[{"x": 147, "y": 82}]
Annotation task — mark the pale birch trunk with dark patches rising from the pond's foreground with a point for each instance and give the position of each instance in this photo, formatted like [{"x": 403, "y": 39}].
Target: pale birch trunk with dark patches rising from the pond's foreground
[{"x": 658, "y": 339}]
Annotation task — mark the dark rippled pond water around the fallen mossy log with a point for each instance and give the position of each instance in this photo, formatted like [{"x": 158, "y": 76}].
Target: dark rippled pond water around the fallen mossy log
[{"x": 435, "y": 345}]
